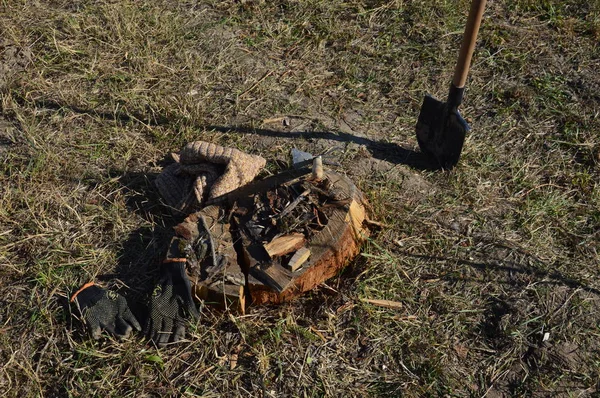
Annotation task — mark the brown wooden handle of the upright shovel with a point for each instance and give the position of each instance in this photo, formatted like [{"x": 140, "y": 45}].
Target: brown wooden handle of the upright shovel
[{"x": 468, "y": 44}]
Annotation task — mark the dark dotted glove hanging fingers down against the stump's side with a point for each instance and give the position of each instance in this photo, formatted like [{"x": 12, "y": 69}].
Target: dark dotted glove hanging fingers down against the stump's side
[{"x": 171, "y": 304}]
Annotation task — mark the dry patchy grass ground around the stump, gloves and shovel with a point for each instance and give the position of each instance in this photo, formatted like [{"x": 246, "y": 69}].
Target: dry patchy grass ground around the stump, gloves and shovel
[{"x": 495, "y": 262}]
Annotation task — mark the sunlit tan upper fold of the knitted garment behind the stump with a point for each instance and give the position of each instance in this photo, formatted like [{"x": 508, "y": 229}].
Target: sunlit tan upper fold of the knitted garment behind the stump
[{"x": 240, "y": 167}]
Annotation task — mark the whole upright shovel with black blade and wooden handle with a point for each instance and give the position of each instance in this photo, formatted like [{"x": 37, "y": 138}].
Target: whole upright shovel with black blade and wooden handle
[{"x": 440, "y": 129}]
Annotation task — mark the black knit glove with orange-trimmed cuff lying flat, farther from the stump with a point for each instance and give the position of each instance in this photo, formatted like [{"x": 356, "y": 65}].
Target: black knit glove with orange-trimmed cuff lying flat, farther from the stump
[{"x": 102, "y": 309}]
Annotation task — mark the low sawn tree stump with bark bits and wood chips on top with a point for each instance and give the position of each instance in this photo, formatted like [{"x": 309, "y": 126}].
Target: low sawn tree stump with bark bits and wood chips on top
[{"x": 238, "y": 269}]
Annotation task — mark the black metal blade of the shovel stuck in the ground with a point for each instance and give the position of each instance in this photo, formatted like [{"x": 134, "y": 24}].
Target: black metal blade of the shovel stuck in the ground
[{"x": 441, "y": 132}]
